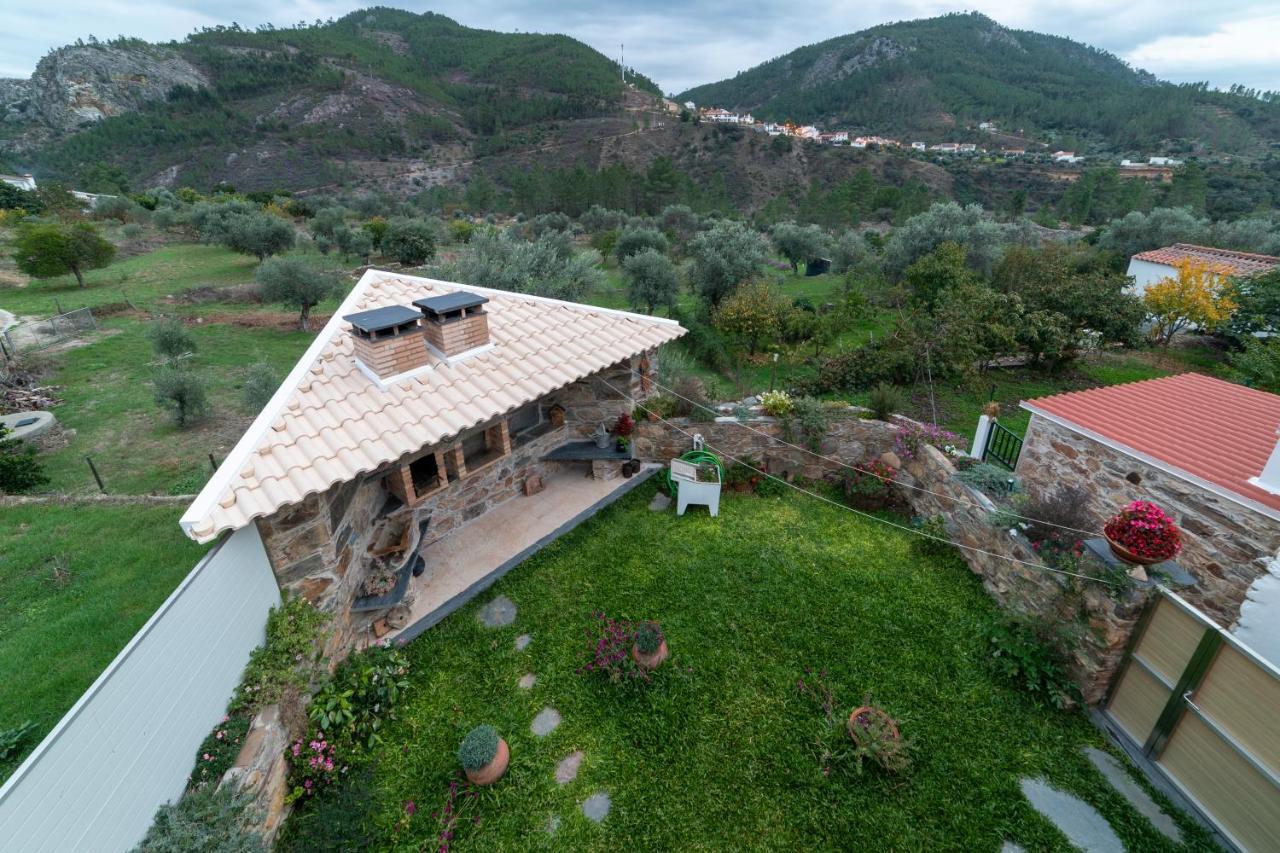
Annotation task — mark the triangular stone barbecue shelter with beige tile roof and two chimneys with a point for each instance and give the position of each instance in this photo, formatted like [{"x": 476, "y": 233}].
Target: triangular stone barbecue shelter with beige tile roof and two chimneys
[{"x": 423, "y": 405}]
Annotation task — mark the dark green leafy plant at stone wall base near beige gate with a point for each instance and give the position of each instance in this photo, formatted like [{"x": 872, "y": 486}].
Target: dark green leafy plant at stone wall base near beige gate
[{"x": 1035, "y": 655}]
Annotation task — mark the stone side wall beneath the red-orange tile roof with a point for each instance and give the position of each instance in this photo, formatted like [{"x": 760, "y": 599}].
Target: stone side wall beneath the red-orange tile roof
[{"x": 1228, "y": 546}]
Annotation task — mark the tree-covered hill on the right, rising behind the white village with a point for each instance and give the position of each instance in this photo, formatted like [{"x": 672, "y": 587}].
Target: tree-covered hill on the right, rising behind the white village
[{"x": 941, "y": 75}]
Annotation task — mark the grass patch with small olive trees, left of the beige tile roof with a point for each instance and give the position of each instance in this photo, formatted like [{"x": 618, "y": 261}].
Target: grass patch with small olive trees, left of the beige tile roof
[{"x": 108, "y": 400}]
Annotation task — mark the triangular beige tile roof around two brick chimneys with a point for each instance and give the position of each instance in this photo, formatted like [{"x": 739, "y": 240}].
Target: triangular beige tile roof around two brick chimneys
[{"x": 330, "y": 422}]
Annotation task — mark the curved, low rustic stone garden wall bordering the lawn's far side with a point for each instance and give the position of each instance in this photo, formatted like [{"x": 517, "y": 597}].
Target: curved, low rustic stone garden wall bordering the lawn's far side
[{"x": 988, "y": 550}]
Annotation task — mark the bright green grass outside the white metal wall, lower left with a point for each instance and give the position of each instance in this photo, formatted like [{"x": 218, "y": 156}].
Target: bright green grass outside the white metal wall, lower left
[{"x": 58, "y": 635}]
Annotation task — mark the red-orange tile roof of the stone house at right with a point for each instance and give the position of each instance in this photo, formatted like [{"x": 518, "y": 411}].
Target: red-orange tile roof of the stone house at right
[{"x": 1191, "y": 426}]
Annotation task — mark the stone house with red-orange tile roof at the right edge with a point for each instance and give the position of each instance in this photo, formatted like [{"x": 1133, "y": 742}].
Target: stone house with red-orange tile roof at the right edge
[{"x": 1203, "y": 449}]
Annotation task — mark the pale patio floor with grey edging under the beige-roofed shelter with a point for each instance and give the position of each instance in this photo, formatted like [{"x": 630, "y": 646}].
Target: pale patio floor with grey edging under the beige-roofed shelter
[{"x": 473, "y": 558}]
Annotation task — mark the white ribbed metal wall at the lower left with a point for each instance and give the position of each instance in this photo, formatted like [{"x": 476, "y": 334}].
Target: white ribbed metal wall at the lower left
[{"x": 129, "y": 743}]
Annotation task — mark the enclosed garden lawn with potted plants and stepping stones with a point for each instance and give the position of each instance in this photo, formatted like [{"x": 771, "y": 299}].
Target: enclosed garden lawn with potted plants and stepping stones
[{"x": 720, "y": 752}]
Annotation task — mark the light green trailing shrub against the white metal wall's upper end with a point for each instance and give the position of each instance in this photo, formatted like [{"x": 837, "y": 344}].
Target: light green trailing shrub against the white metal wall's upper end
[{"x": 289, "y": 656}]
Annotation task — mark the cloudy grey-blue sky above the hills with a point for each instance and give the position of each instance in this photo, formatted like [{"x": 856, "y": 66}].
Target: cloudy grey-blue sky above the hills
[{"x": 685, "y": 43}]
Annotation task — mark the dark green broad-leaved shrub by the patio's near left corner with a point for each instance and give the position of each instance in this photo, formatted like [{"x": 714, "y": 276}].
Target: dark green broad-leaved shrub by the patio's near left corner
[{"x": 362, "y": 696}]
